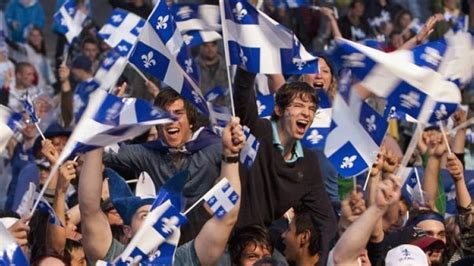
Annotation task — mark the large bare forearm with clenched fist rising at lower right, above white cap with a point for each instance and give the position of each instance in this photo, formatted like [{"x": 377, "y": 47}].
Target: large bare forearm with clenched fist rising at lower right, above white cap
[{"x": 355, "y": 238}]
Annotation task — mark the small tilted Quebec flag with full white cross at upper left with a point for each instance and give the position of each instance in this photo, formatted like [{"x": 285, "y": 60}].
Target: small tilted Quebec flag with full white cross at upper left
[{"x": 121, "y": 31}]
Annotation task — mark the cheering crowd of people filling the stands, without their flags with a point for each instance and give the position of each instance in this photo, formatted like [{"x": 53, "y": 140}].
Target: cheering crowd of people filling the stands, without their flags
[{"x": 294, "y": 208}]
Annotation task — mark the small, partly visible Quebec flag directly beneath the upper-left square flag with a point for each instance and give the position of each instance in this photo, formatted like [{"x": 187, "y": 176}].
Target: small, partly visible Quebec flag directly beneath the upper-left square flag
[{"x": 110, "y": 70}]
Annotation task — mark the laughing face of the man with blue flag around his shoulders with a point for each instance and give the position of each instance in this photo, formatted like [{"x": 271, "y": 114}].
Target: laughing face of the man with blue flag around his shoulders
[{"x": 176, "y": 134}]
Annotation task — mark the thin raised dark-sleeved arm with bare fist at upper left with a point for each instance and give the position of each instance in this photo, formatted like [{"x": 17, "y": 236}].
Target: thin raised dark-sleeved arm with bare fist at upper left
[{"x": 67, "y": 96}]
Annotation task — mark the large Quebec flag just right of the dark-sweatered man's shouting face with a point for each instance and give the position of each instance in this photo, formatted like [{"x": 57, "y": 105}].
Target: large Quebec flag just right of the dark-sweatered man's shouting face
[{"x": 356, "y": 132}]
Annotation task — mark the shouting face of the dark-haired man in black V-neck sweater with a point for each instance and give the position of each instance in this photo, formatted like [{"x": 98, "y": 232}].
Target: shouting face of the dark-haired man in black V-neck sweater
[{"x": 296, "y": 118}]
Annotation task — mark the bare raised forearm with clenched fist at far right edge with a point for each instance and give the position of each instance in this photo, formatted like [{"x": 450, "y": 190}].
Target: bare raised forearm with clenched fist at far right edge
[{"x": 455, "y": 168}]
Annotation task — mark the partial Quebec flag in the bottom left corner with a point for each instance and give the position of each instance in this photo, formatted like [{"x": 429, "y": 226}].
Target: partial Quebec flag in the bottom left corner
[{"x": 10, "y": 252}]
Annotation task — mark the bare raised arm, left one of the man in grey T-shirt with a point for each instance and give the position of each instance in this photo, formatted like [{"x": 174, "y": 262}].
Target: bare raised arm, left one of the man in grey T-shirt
[{"x": 96, "y": 232}]
